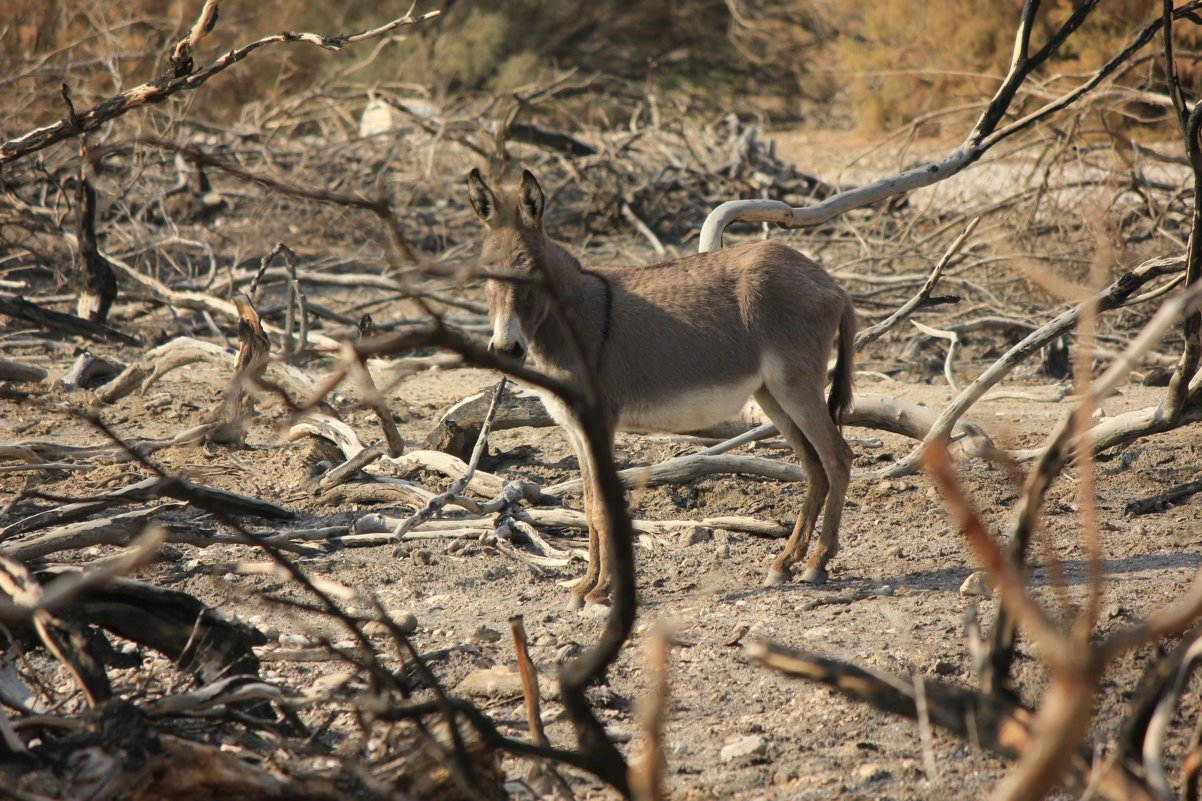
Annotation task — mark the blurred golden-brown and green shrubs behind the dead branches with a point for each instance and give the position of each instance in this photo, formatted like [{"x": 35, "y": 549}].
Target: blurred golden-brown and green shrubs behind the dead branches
[{"x": 831, "y": 63}]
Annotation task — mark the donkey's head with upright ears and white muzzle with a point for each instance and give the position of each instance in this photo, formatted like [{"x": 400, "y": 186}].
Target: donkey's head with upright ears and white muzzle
[{"x": 514, "y": 252}]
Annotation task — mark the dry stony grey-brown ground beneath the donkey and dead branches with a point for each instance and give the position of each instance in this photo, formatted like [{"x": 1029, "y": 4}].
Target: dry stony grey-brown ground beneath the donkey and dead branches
[{"x": 735, "y": 731}]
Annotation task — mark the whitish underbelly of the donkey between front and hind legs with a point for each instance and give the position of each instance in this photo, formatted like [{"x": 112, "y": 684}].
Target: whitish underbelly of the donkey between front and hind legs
[{"x": 689, "y": 410}]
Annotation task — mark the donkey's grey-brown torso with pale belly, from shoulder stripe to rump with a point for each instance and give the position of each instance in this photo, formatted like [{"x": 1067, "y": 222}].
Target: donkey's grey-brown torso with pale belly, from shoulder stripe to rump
[{"x": 689, "y": 341}]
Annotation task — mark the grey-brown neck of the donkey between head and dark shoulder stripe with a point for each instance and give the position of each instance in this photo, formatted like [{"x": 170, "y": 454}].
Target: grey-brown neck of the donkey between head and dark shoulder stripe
[{"x": 582, "y": 295}]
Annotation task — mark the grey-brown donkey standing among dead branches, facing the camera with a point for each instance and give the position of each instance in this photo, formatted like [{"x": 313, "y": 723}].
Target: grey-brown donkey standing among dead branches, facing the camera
[{"x": 680, "y": 347}]
